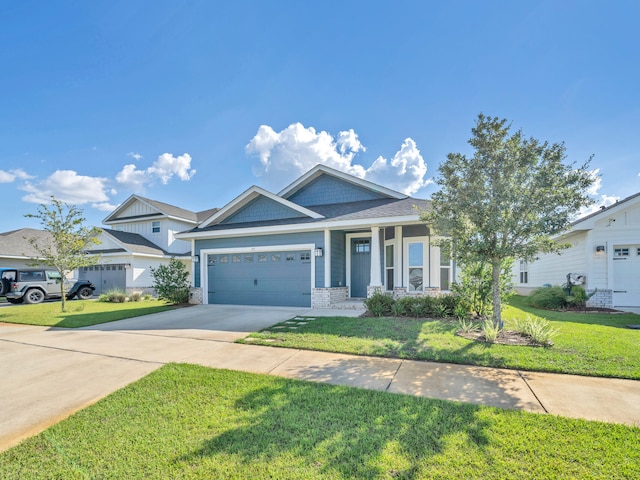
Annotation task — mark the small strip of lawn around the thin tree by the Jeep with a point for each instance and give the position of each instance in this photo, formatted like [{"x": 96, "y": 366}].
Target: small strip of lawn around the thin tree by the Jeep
[{"x": 80, "y": 313}]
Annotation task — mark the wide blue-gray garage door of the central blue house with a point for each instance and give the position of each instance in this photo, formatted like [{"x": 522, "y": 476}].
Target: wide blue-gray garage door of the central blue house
[{"x": 264, "y": 278}]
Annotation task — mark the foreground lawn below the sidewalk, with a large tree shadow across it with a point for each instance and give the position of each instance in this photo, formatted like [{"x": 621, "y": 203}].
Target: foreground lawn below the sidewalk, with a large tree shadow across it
[{"x": 186, "y": 421}]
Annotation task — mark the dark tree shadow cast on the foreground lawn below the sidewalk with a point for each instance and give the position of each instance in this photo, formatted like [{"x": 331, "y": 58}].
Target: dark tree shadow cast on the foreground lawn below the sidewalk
[{"x": 341, "y": 431}]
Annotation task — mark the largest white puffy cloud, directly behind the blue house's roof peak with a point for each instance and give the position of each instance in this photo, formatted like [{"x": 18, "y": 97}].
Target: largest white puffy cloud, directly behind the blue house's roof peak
[{"x": 297, "y": 149}]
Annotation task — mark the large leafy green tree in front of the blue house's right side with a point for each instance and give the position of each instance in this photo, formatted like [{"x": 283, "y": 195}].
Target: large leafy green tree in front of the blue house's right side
[{"x": 507, "y": 200}]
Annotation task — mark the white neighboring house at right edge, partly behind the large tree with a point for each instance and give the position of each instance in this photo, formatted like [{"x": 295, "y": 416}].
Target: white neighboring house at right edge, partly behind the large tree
[{"x": 604, "y": 251}]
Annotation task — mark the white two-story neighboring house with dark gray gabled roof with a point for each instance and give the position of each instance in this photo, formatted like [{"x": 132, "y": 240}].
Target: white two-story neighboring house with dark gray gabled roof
[{"x": 141, "y": 237}]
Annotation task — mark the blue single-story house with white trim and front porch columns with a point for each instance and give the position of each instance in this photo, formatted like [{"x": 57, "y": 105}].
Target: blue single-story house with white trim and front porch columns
[{"x": 325, "y": 238}]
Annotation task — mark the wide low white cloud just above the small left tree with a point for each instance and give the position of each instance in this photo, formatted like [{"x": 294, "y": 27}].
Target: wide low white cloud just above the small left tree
[{"x": 67, "y": 186}]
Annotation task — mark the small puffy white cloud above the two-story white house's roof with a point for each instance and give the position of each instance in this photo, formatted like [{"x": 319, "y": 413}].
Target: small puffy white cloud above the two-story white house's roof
[{"x": 163, "y": 169}]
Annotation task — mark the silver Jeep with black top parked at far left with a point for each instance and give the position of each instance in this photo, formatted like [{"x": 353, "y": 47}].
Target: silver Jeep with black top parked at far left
[{"x": 35, "y": 285}]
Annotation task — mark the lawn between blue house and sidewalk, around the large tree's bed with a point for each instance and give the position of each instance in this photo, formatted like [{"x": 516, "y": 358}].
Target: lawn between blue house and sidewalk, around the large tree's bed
[{"x": 589, "y": 344}]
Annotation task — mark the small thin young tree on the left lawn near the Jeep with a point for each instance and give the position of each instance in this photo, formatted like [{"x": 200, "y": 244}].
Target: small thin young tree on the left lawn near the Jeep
[{"x": 66, "y": 248}]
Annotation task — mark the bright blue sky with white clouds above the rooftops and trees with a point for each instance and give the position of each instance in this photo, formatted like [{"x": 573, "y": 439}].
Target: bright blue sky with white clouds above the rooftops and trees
[{"x": 192, "y": 102}]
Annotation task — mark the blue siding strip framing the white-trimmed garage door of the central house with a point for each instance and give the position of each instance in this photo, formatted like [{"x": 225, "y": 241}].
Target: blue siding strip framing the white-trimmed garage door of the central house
[{"x": 316, "y": 238}]
